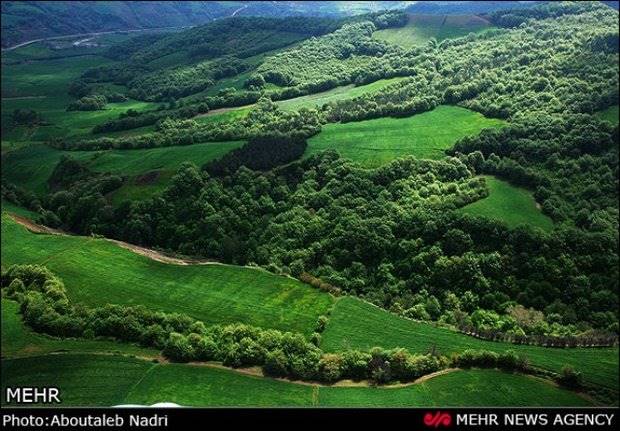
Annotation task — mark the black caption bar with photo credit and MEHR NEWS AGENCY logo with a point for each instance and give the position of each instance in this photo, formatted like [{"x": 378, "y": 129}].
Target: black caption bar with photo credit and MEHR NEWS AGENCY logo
[{"x": 413, "y": 419}]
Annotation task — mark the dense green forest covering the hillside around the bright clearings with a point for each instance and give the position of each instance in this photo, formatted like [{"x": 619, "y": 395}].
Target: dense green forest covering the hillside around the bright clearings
[{"x": 391, "y": 235}]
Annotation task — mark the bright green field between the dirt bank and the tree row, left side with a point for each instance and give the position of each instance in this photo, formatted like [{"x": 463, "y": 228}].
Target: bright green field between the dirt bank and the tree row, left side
[{"x": 97, "y": 272}]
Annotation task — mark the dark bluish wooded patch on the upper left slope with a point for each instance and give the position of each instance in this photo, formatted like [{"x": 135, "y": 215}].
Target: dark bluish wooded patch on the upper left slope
[{"x": 158, "y": 67}]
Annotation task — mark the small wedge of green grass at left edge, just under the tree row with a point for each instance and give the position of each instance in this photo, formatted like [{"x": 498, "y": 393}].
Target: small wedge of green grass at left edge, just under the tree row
[{"x": 19, "y": 340}]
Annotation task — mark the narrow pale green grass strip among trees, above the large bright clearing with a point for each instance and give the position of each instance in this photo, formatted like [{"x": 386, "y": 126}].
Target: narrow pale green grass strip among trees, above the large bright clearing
[{"x": 338, "y": 93}]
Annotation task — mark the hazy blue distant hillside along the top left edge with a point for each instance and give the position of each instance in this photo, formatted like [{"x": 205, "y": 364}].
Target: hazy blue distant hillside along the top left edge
[{"x": 24, "y": 21}]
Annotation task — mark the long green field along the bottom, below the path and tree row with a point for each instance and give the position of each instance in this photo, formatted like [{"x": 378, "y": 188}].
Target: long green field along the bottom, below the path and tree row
[{"x": 113, "y": 380}]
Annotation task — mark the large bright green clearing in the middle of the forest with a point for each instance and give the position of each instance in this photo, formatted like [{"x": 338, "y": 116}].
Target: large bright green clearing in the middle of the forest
[{"x": 375, "y": 142}]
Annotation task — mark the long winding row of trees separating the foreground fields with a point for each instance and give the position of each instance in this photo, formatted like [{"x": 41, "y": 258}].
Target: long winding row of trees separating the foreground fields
[{"x": 46, "y": 308}]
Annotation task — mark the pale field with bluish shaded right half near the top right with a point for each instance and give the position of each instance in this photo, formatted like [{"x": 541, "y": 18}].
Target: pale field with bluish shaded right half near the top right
[{"x": 421, "y": 28}]
